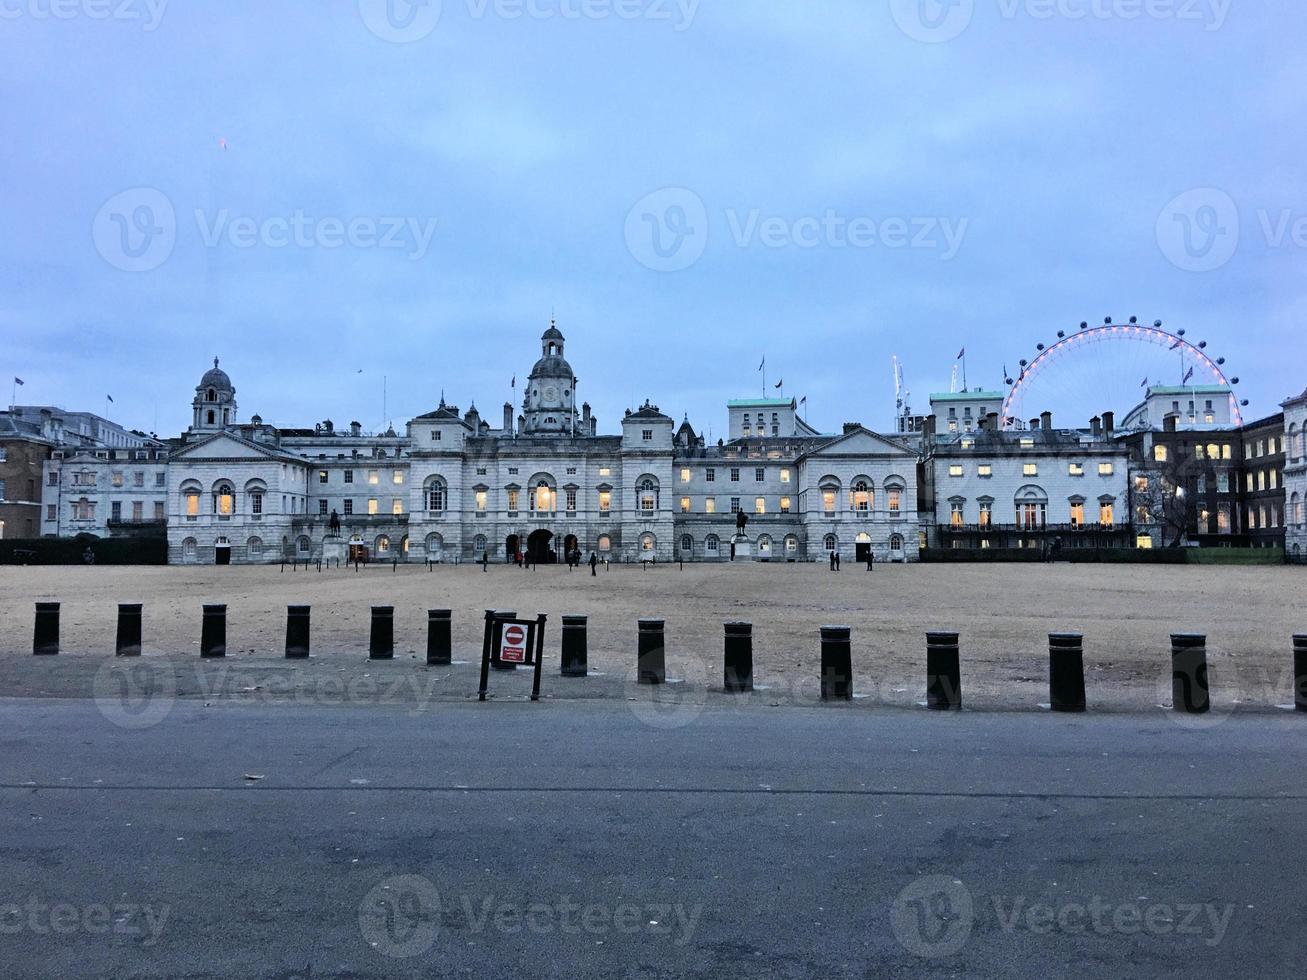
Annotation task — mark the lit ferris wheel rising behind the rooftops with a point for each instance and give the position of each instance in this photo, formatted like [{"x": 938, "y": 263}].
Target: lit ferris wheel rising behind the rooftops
[{"x": 1112, "y": 368}]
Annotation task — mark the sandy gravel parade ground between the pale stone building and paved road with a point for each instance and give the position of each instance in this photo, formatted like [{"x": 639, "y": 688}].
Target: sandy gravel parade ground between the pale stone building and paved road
[{"x": 1004, "y": 615}]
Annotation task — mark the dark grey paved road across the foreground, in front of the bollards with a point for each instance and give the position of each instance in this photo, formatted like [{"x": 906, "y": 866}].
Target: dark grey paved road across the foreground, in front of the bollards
[{"x": 594, "y": 841}]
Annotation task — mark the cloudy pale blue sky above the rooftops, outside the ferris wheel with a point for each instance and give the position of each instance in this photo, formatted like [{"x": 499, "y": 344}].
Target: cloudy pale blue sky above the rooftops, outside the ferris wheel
[{"x": 691, "y": 186}]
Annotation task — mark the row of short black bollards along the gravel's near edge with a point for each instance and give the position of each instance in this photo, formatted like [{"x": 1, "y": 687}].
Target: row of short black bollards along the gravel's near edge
[{"x": 943, "y": 659}]
